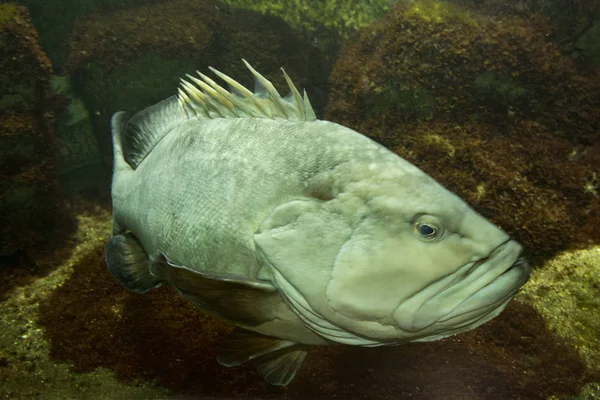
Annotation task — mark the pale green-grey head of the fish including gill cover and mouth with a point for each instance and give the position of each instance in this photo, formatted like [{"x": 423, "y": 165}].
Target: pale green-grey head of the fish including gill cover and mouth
[{"x": 387, "y": 256}]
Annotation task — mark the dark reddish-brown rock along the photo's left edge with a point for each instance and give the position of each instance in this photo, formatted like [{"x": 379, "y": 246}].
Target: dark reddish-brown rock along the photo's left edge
[{"x": 28, "y": 144}]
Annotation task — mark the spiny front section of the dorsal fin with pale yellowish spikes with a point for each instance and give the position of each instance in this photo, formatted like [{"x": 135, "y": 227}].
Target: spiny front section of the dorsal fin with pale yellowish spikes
[{"x": 204, "y": 98}]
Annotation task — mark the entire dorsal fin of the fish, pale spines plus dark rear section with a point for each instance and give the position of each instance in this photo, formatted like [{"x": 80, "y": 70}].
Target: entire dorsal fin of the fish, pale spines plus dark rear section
[{"x": 204, "y": 98}]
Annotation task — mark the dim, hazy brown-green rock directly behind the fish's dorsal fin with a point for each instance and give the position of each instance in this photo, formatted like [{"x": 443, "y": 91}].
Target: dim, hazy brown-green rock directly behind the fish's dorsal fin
[{"x": 134, "y": 57}]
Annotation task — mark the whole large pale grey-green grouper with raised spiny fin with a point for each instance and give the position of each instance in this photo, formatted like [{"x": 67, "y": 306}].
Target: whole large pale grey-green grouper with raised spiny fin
[{"x": 298, "y": 231}]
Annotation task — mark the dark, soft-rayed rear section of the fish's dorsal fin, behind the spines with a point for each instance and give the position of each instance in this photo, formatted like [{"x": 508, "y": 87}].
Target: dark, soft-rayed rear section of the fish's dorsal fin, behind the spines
[{"x": 146, "y": 128}]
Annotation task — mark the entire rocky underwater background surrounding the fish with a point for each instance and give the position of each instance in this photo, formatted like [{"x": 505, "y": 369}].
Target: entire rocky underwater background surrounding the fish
[{"x": 497, "y": 100}]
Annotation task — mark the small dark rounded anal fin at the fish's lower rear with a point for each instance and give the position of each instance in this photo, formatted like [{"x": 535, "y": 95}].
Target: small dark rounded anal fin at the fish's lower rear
[{"x": 128, "y": 262}]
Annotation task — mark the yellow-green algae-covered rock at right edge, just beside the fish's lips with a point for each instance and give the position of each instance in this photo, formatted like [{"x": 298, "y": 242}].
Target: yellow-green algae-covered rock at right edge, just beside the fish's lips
[{"x": 566, "y": 292}]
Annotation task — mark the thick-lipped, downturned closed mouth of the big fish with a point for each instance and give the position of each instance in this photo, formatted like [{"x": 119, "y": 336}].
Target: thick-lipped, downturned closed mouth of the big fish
[{"x": 469, "y": 297}]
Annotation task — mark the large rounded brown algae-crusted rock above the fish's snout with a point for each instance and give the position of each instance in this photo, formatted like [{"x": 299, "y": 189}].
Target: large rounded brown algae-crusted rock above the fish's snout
[{"x": 510, "y": 125}]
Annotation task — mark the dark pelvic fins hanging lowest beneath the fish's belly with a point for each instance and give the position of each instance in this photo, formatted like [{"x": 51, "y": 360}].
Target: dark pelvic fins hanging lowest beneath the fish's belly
[{"x": 277, "y": 361}]
